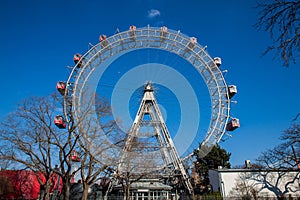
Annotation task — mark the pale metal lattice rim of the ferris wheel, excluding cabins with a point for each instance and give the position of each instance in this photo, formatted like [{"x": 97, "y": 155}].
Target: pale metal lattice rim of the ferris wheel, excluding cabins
[{"x": 174, "y": 42}]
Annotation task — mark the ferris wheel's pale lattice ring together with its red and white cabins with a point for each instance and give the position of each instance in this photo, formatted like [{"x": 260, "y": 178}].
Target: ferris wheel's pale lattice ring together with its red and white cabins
[{"x": 91, "y": 66}]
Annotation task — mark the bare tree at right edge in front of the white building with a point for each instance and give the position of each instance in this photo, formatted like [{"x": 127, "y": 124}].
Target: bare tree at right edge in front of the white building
[{"x": 282, "y": 161}]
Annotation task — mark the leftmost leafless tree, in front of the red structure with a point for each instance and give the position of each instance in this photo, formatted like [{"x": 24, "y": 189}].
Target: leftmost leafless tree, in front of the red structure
[{"x": 29, "y": 137}]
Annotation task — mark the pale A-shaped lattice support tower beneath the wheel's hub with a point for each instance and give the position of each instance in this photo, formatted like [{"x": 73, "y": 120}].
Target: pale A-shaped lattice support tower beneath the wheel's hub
[{"x": 149, "y": 152}]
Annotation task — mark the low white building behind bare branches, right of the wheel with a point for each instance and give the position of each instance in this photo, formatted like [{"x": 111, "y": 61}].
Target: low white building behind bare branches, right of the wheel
[{"x": 255, "y": 183}]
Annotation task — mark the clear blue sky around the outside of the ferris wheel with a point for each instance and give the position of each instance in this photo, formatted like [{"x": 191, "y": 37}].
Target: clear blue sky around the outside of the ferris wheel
[{"x": 38, "y": 40}]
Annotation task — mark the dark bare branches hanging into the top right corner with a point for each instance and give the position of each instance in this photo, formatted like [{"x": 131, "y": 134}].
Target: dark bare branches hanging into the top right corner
[{"x": 281, "y": 18}]
